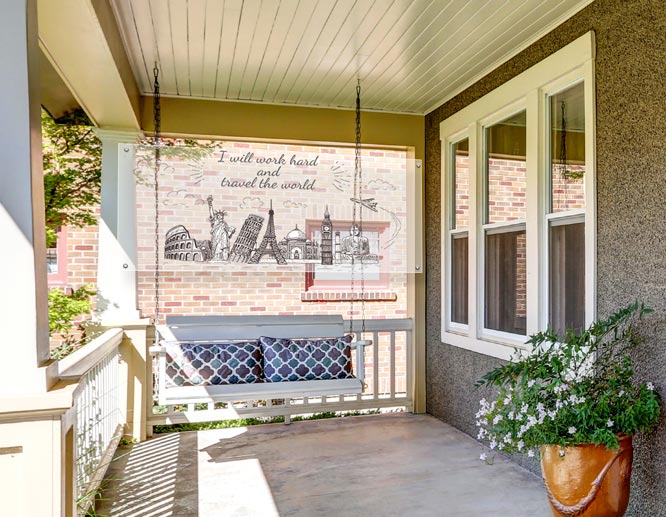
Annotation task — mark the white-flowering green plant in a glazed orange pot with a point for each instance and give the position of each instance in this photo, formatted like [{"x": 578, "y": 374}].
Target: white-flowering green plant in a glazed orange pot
[{"x": 574, "y": 399}]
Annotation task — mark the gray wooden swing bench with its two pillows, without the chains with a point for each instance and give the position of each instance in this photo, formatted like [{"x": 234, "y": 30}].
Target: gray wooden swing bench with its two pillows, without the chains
[{"x": 202, "y": 341}]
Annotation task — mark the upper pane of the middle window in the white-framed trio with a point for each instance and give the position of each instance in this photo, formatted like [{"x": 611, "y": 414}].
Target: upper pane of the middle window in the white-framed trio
[{"x": 505, "y": 170}]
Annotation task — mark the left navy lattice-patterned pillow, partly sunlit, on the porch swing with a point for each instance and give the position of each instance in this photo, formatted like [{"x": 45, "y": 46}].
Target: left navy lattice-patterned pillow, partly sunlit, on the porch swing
[{"x": 196, "y": 364}]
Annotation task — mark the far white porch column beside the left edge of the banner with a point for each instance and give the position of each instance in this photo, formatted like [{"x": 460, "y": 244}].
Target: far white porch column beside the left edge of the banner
[{"x": 116, "y": 263}]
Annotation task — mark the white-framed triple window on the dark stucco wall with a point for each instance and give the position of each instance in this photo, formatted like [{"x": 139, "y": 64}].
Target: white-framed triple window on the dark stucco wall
[{"x": 518, "y": 234}]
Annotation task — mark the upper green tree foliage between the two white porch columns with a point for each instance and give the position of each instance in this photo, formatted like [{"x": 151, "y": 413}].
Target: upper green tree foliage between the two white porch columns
[{"x": 72, "y": 162}]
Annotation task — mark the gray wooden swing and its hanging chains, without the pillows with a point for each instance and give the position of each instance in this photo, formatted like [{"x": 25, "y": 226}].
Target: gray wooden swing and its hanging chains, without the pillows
[{"x": 211, "y": 331}]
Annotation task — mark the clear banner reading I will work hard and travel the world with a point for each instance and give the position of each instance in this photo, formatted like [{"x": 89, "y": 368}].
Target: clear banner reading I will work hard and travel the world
[{"x": 243, "y": 204}]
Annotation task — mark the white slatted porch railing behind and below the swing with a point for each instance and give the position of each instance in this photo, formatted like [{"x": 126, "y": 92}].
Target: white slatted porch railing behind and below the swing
[{"x": 388, "y": 378}]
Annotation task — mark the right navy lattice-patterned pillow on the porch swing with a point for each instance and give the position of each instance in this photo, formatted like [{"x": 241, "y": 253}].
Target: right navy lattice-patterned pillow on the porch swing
[{"x": 306, "y": 359}]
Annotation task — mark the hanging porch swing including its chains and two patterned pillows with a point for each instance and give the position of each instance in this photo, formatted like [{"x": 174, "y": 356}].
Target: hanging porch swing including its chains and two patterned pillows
[{"x": 230, "y": 359}]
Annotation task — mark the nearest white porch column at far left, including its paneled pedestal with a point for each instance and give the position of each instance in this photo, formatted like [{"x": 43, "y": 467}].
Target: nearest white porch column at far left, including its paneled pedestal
[{"x": 30, "y": 427}]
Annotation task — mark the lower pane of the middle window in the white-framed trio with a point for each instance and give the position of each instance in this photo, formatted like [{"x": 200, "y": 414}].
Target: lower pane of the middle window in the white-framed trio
[{"x": 506, "y": 282}]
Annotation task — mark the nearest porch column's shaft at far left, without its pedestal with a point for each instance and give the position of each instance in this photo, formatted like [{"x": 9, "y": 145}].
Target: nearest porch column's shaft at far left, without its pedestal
[{"x": 23, "y": 304}]
